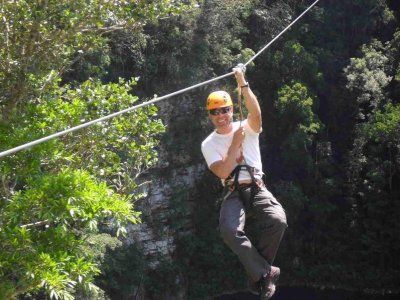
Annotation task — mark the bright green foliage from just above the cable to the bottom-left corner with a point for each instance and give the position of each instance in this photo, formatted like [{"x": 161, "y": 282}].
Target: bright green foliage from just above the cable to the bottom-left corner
[{"x": 44, "y": 185}]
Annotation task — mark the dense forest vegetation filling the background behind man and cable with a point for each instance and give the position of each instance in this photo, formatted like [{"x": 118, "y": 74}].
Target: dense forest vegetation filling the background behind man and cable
[{"x": 329, "y": 91}]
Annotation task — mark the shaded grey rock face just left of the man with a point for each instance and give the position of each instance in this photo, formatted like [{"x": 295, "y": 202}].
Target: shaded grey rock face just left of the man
[{"x": 179, "y": 167}]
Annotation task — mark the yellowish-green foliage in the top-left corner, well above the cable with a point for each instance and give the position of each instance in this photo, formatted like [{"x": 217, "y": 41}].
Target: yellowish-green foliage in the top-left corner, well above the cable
[{"x": 41, "y": 36}]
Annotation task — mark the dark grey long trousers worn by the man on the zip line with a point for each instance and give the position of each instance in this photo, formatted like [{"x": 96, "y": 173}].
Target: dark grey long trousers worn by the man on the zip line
[{"x": 269, "y": 214}]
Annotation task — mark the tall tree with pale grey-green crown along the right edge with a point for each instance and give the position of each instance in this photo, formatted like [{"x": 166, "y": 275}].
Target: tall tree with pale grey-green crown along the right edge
[{"x": 373, "y": 166}]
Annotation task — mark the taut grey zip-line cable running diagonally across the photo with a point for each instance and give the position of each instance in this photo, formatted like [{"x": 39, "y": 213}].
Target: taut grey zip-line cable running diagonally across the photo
[{"x": 83, "y": 125}]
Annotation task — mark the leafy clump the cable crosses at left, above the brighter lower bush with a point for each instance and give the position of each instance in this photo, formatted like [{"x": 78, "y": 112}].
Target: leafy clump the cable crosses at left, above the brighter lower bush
[{"x": 126, "y": 147}]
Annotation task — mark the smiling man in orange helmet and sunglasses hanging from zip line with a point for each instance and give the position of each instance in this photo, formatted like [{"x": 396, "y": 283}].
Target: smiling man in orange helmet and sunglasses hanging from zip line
[{"x": 232, "y": 153}]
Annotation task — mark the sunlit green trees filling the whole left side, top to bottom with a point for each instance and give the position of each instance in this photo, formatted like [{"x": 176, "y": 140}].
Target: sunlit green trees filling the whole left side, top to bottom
[{"x": 57, "y": 194}]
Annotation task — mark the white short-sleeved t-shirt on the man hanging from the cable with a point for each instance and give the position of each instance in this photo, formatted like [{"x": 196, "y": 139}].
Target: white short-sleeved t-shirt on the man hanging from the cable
[{"x": 216, "y": 145}]
